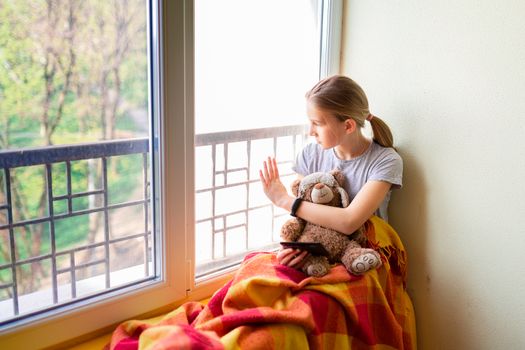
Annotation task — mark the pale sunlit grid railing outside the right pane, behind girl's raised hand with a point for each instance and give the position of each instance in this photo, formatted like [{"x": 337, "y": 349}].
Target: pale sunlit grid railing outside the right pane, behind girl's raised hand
[{"x": 281, "y": 141}]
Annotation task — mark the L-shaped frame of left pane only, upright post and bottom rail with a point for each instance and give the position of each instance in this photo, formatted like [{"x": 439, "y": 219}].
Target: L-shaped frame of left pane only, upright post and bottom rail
[{"x": 171, "y": 64}]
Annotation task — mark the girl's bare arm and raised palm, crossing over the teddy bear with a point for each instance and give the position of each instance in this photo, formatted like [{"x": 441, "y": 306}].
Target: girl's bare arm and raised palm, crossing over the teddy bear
[{"x": 346, "y": 220}]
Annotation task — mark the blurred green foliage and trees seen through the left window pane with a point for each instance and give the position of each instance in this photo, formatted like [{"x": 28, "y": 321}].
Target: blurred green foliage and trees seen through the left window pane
[{"x": 67, "y": 80}]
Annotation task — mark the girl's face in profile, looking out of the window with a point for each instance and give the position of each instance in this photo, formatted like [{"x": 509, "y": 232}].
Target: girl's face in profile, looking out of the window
[{"x": 327, "y": 130}]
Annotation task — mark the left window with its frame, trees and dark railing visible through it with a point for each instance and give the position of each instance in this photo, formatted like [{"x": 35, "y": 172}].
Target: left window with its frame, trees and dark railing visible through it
[{"x": 84, "y": 166}]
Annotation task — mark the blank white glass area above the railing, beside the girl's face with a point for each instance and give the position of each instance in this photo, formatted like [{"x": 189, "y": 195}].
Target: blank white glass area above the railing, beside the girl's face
[{"x": 254, "y": 61}]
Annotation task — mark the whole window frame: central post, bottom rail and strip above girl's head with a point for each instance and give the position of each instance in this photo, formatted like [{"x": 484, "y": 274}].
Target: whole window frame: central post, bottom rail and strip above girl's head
[{"x": 174, "y": 98}]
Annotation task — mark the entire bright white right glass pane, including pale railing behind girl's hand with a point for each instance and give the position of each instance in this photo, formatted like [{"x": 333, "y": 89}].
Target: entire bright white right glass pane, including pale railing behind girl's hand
[{"x": 254, "y": 62}]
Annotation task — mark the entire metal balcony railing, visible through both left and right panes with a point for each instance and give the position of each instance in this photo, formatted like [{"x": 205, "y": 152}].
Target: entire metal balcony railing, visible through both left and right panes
[{"x": 228, "y": 161}]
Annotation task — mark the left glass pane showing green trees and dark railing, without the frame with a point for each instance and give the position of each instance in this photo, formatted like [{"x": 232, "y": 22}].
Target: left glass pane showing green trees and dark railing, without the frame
[{"x": 75, "y": 182}]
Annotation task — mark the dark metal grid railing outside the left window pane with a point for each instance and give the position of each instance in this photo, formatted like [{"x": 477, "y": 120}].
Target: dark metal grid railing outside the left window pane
[{"x": 47, "y": 156}]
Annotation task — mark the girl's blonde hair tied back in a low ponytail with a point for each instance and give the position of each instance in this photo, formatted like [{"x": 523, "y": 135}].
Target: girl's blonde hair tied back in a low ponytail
[{"x": 345, "y": 99}]
